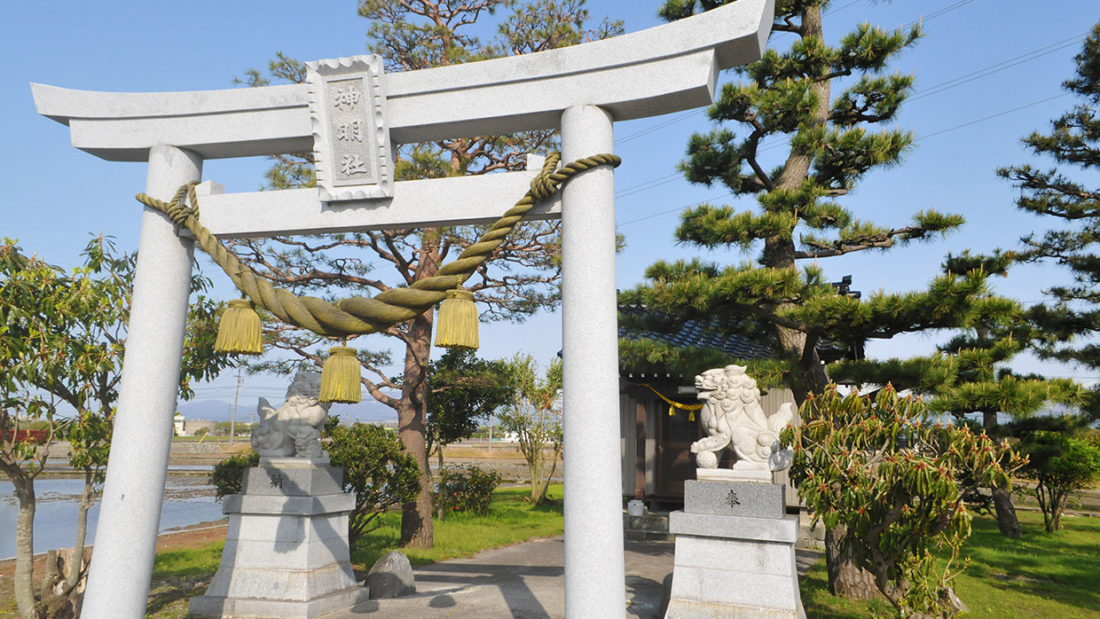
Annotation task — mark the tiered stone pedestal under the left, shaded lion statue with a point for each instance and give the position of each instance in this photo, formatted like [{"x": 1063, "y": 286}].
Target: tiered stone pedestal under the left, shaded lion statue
[{"x": 287, "y": 548}]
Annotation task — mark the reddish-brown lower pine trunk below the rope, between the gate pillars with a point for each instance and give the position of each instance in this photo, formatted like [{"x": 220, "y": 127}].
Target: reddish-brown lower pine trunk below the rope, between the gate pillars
[{"x": 416, "y": 517}]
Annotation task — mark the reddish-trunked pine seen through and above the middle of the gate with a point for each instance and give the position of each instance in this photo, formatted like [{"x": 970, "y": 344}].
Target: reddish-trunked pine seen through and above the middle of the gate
[{"x": 523, "y": 273}]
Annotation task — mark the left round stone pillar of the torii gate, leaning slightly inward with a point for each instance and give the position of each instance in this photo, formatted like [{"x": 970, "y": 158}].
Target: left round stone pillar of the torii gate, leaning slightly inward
[{"x": 140, "y": 445}]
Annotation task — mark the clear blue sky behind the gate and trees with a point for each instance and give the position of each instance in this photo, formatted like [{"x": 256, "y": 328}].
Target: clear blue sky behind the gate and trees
[{"x": 988, "y": 73}]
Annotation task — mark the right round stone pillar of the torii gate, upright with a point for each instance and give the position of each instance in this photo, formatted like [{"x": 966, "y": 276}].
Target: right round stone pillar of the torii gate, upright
[{"x": 595, "y": 570}]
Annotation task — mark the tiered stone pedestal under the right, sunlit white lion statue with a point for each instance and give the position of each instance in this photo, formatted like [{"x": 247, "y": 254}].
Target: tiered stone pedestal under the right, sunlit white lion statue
[{"x": 734, "y": 554}]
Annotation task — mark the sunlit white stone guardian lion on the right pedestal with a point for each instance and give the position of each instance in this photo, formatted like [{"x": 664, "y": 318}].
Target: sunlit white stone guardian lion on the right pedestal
[{"x": 734, "y": 419}]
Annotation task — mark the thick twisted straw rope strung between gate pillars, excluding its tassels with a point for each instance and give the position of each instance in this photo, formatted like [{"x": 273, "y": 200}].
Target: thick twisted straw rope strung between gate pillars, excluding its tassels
[{"x": 361, "y": 315}]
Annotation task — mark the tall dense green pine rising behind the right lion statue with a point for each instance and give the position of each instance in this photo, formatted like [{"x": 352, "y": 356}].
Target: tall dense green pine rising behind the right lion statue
[{"x": 831, "y": 146}]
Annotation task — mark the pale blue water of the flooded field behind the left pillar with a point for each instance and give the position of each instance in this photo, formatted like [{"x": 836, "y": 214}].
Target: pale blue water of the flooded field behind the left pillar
[{"x": 189, "y": 500}]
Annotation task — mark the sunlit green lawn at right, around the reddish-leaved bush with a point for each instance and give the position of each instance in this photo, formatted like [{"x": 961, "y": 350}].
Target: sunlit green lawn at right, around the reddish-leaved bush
[{"x": 1043, "y": 574}]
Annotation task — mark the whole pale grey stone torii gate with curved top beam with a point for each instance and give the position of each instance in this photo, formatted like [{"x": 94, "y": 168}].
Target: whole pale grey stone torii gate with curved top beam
[{"x": 580, "y": 91}]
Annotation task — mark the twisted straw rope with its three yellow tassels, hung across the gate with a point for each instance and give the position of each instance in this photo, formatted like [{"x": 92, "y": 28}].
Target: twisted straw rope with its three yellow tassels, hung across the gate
[{"x": 240, "y": 329}]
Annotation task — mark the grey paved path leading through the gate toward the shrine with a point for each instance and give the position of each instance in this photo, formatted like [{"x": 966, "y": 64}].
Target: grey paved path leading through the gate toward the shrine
[{"x": 526, "y": 582}]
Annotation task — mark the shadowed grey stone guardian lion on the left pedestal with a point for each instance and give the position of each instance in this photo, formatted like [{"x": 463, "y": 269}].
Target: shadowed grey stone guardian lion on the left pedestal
[{"x": 295, "y": 428}]
